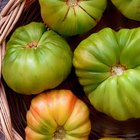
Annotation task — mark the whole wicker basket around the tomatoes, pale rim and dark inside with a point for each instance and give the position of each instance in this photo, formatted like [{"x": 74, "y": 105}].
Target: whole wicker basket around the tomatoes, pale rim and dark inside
[{"x": 13, "y": 107}]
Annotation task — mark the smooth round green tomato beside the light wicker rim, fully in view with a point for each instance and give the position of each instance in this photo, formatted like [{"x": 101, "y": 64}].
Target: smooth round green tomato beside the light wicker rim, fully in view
[{"x": 36, "y": 59}]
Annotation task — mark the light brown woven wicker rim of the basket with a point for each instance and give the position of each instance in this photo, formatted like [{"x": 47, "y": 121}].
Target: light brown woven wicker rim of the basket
[{"x": 8, "y": 18}]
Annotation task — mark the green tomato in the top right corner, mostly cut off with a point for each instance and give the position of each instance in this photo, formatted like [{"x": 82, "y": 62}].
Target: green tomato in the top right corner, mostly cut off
[{"x": 129, "y": 8}]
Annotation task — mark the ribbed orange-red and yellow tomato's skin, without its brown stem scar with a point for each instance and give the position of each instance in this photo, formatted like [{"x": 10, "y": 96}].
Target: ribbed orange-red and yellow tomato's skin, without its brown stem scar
[{"x": 56, "y": 109}]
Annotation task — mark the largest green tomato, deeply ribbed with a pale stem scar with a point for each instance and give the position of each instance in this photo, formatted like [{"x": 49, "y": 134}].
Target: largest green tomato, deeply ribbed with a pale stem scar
[{"x": 107, "y": 64}]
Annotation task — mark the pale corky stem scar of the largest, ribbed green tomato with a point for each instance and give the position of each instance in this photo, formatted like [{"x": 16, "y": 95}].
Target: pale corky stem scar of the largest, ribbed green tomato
[{"x": 118, "y": 70}]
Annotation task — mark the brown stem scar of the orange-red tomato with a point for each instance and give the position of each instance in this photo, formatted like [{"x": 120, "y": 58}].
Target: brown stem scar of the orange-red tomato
[{"x": 59, "y": 133}]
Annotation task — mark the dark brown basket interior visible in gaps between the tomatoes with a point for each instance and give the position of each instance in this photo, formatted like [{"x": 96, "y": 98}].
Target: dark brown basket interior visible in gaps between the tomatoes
[{"x": 102, "y": 125}]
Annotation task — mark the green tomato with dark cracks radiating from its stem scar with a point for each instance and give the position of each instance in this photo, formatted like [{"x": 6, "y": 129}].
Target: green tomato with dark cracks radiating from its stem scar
[{"x": 72, "y": 17}]
